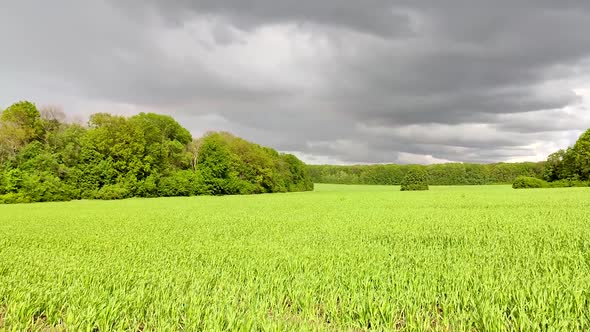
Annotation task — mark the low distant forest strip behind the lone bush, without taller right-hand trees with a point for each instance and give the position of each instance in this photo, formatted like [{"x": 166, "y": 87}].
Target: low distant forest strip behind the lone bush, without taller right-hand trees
[{"x": 439, "y": 174}]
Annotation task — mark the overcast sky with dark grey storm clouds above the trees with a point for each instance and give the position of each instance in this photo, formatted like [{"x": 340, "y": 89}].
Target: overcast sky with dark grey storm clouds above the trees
[{"x": 332, "y": 81}]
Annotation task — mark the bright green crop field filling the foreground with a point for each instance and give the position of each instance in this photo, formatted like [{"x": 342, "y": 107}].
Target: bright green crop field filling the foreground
[{"x": 342, "y": 258}]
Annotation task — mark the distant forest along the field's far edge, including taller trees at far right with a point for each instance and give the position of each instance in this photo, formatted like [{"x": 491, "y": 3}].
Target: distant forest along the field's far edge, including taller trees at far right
[{"x": 567, "y": 167}]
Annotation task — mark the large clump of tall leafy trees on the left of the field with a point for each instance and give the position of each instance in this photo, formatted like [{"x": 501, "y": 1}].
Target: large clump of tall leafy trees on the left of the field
[{"x": 45, "y": 158}]
